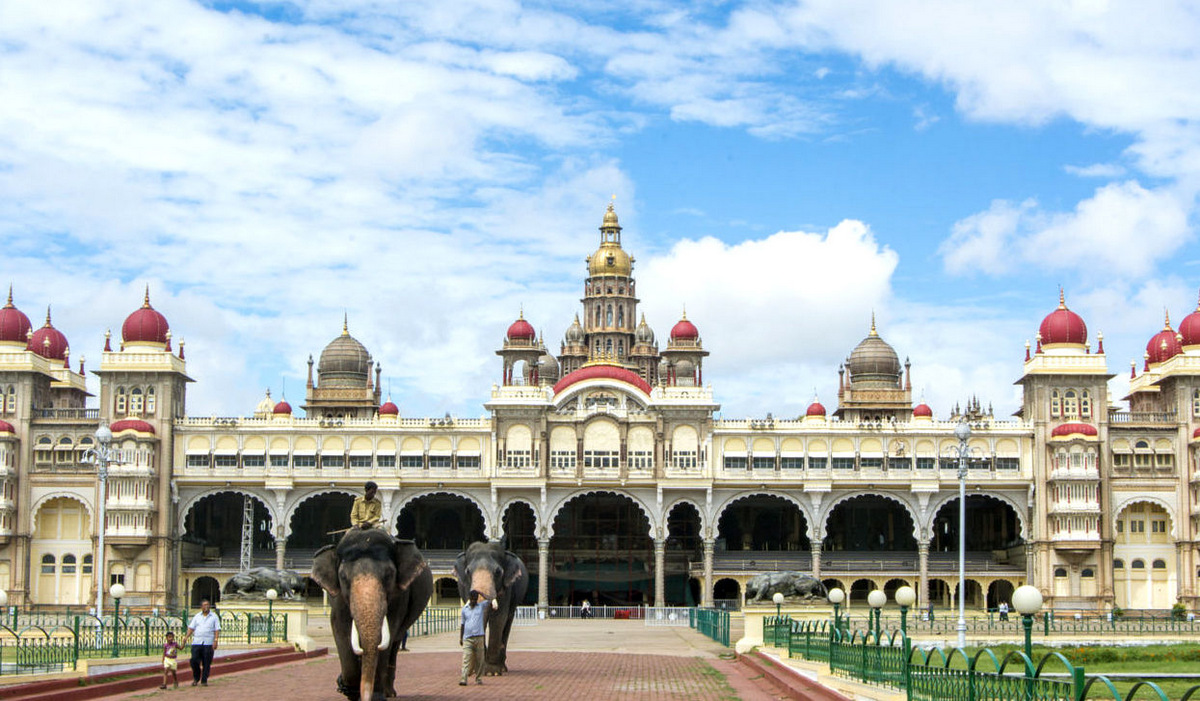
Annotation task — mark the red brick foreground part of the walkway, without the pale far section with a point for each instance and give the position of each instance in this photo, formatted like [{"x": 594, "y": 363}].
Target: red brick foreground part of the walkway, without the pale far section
[{"x": 536, "y": 675}]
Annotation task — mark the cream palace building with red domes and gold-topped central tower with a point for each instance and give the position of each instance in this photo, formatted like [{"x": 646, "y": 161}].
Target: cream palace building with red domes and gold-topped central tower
[{"x": 605, "y": 468}]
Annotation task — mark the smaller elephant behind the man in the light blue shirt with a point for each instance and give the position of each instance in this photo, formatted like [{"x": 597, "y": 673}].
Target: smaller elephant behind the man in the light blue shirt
[{"x": 501, "y": 576}]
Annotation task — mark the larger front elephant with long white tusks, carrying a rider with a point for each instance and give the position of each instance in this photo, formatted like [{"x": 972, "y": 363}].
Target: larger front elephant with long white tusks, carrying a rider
[{"x": 379, "y": 588}]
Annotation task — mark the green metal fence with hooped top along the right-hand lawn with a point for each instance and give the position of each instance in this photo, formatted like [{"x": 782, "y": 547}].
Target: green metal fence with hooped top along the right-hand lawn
[{"x": 891, "y": 661}]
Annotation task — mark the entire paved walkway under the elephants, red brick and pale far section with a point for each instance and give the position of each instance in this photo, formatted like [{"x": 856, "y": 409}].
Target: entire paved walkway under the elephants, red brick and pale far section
[{"x": 577, "y": 661}]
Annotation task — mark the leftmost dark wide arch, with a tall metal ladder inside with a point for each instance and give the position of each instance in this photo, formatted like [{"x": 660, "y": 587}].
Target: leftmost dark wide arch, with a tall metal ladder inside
[{"x": 213, "y": 531}]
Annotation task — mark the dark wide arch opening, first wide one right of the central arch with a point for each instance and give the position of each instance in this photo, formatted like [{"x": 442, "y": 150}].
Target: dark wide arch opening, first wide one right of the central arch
[{"x": 764, "y": 523}]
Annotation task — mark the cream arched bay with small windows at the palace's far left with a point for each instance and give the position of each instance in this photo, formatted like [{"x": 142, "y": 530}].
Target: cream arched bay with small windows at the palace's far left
[{"x": 62, "y": 542}]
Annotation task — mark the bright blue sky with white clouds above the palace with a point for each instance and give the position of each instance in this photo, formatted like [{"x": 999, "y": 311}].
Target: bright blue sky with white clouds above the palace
[{"x": 431, "y": 169}]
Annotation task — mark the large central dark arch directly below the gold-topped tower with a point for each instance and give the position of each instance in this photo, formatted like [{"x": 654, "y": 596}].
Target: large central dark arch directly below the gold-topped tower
[{"x": 602, "y": 552}]
